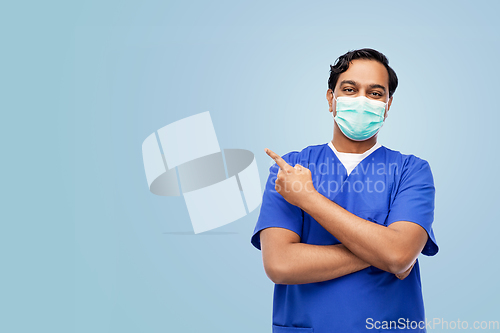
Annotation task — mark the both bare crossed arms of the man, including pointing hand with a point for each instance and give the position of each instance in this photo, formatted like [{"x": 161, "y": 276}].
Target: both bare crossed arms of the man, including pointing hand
[{"x": 287, "y": 261}]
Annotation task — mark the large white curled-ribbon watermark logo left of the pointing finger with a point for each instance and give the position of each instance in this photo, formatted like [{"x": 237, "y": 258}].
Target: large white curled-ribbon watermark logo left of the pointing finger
[{"x": 184, "y": 158}]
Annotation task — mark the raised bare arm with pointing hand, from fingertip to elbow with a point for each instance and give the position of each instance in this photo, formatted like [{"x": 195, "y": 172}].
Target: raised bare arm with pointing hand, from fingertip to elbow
[{"x": 392, "y": 248}]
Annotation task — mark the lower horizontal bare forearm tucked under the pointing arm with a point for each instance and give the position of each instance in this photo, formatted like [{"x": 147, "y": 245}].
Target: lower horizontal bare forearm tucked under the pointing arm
[{"x": 287, "y": 261}]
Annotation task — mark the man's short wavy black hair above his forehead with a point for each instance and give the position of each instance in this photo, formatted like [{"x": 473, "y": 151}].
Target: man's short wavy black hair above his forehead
[{"x": 342, "y": 64}]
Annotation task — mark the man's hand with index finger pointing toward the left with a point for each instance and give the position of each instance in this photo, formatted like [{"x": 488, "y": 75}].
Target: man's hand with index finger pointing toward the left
[{"x": 293, "y": 183}]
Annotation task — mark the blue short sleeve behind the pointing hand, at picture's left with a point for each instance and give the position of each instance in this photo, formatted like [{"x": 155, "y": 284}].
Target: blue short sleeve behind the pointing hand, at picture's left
[{"x": 275, "y": 211}]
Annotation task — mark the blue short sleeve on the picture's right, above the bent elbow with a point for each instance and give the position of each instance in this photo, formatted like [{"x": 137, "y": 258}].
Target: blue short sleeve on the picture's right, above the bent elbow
[{"x": 414, "y": 199}]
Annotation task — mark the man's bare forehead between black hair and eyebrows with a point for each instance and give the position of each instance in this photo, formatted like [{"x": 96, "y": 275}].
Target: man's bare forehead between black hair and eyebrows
[{"x": 365, "y": 72}]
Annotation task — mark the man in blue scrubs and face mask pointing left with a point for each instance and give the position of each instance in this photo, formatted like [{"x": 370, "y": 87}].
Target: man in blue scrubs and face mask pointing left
[{"x": 342, "y": 223}]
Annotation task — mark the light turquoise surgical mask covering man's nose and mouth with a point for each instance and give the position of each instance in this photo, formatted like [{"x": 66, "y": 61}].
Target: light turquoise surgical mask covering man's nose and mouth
[{"x": 359, "y": 118}]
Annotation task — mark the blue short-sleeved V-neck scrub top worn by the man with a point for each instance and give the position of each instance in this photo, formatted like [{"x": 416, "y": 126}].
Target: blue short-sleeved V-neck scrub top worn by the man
[{"x": 385, "y": 187}]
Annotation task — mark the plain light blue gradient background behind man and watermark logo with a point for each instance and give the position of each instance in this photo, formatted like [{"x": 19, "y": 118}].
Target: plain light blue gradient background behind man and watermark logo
[{"x": 87, "y": 248}]
